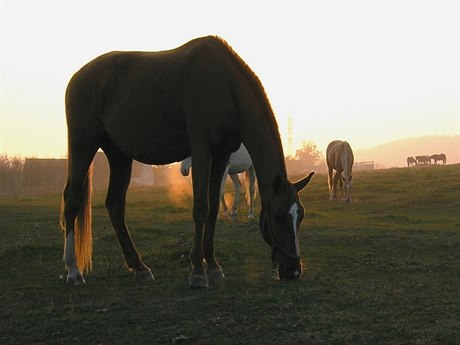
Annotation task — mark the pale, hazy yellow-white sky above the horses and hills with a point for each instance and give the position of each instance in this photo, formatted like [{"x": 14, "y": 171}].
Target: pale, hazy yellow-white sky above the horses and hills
[{"x": 368, "y": 72}]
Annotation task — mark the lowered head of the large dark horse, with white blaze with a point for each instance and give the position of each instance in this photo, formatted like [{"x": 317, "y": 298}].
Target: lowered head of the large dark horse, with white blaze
[{"x": 280, "y": 221}]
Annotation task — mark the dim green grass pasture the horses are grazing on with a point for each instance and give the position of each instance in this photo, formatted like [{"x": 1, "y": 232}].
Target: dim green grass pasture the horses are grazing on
[{"x": 382, "y": 270}]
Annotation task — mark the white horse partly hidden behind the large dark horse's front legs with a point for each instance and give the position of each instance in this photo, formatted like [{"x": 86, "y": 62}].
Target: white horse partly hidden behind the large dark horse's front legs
[{"x": 239, "y": 162}]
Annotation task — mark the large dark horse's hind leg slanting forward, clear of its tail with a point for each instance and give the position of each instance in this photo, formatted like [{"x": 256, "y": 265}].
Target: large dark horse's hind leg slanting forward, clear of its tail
[{"x": 120, "y": 176}]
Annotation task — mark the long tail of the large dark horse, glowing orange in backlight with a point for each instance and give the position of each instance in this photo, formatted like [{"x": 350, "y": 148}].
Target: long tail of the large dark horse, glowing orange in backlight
[{"x": 83, "y": 228}]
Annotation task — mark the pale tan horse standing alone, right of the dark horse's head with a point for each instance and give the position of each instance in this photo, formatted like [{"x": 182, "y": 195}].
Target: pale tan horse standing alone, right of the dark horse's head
[{"x": 339, "y": 157}]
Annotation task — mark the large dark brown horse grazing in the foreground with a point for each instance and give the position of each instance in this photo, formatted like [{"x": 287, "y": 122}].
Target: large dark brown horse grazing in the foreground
[{"x": 198, "y": 100}]
